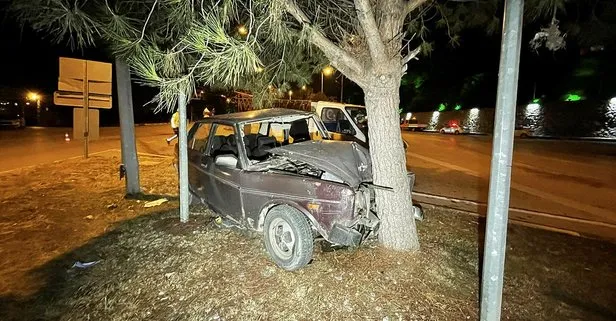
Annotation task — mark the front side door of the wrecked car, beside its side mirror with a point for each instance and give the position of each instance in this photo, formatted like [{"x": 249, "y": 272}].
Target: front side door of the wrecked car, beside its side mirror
[{"x": 222, "y": 183}]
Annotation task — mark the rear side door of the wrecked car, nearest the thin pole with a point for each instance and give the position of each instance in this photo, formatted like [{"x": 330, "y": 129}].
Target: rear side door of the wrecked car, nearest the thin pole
[{"x": 197, "y": 146}]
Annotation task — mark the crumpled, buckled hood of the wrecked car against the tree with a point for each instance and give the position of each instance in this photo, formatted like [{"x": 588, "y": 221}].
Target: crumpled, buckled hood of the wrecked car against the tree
[{"x": 347, "y": 160}]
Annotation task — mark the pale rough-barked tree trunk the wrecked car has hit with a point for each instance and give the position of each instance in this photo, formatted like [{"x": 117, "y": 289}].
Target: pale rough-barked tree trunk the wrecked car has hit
[{"x": 395, "y": 208}]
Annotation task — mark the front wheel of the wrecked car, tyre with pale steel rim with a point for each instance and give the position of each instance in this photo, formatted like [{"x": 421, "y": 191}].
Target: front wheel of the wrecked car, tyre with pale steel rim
[{"x": 288, "y": 238}]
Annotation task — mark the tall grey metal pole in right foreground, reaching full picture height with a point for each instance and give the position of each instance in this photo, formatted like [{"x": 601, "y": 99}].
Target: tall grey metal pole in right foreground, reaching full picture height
[{"x": 500, "y": 170}]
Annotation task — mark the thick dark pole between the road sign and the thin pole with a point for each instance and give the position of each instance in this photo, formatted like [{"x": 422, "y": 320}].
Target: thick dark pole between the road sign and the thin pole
[{"x": 127, "y": 127}]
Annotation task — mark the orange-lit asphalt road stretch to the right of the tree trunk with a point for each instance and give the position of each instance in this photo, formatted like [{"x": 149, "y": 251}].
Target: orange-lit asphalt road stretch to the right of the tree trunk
[{"x": 572, "y": 182}]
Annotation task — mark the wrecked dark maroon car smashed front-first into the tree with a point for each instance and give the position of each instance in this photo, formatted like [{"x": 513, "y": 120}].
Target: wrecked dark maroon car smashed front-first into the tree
[{"x": 277, "y": 172}]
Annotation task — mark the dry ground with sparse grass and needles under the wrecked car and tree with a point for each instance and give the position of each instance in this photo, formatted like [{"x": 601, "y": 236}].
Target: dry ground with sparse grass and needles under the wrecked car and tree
[{"x": 150, "y": 266}]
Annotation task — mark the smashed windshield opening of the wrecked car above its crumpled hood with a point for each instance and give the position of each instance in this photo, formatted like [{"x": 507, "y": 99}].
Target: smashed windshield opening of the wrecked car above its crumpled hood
[{"x": 260, "y": 137}]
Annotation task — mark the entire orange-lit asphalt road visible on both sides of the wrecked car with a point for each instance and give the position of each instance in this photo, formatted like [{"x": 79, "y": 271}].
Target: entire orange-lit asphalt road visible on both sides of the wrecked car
[{"x": 566, "y": 185}]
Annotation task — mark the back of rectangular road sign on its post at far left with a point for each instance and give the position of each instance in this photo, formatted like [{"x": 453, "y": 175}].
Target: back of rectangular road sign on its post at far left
[{"x": 84, "y": 83}]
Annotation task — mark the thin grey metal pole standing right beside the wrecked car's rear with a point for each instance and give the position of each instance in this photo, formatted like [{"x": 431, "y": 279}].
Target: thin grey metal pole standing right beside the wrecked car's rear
[{"x": 184, "y": 210}]
